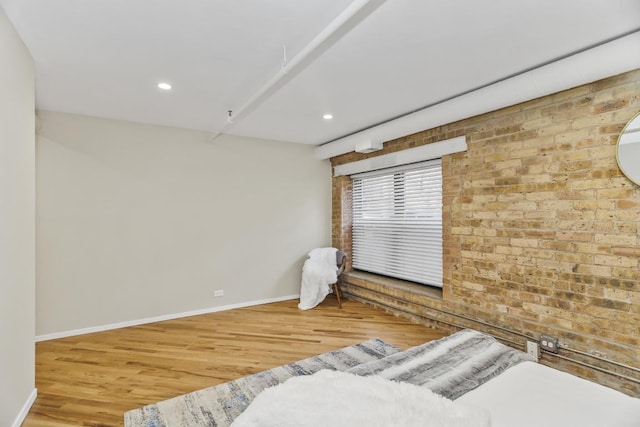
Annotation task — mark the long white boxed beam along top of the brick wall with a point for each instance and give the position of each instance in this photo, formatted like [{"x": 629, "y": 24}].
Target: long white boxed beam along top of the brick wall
[{"x": 606, "y": 60}]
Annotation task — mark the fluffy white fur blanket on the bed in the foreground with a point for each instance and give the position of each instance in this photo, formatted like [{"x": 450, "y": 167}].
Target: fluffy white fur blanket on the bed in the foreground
[{"x": 339, "y": 399}]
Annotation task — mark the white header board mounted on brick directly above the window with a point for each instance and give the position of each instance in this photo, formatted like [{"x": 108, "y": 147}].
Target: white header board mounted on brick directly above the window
[{"x": 413, "y": 155}]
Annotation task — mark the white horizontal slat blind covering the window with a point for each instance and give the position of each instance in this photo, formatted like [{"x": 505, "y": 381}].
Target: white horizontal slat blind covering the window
[{"x": 397, "y": 222}]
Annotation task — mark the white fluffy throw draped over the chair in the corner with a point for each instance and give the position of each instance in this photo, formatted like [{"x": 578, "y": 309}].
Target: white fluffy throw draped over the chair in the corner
[{"x": 318, "y": 273}]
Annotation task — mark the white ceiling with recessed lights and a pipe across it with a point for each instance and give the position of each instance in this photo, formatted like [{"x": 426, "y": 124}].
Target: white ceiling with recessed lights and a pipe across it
[{"x": 104, "y": 57}]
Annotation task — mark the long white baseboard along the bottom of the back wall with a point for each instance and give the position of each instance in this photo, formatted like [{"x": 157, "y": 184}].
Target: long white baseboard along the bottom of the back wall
[{"x": 119, "y": 325}]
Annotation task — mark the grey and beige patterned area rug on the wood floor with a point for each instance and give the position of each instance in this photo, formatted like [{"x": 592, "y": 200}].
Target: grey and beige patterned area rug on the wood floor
[{"x": 219, "y": 405}]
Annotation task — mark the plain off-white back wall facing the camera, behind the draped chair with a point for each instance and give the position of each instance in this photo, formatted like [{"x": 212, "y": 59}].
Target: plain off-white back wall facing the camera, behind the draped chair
[{"x": 137, "y": 221}]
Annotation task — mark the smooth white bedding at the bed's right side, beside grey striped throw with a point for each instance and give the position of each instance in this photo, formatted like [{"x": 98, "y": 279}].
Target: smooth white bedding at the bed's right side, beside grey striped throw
[{"x": 534, "y": 395}]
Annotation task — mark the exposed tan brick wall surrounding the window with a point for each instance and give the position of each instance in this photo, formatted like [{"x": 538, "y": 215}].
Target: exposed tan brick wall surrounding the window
[{"x": 541, "y": 229}]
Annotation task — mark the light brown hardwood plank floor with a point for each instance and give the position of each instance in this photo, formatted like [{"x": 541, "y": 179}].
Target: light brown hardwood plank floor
[{"x": 91, "y": 380}]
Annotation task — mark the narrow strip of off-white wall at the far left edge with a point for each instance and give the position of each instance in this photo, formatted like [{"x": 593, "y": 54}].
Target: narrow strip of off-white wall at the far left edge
[{"x": 17, "y": 227}]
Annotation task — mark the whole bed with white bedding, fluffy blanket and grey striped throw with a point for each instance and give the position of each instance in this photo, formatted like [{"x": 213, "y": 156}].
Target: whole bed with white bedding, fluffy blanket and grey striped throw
[{"x": 478, "y": 383}]
